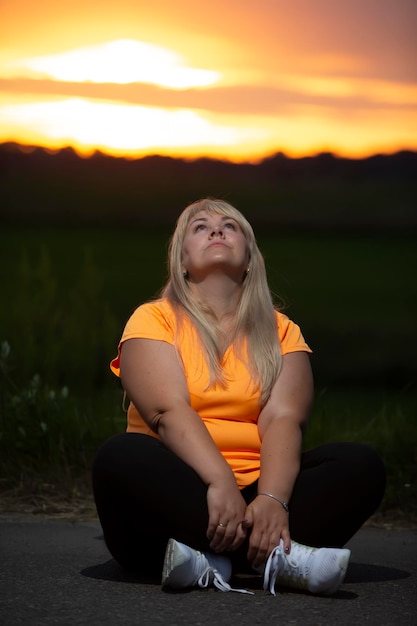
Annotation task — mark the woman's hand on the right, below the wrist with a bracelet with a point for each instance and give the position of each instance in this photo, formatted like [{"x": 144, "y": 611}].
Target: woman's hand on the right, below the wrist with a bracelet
[{"x": 268, "y": 522}]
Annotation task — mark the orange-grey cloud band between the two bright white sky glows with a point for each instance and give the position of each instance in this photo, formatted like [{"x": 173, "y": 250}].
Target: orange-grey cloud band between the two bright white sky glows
[{"x": 337, "y": 95}]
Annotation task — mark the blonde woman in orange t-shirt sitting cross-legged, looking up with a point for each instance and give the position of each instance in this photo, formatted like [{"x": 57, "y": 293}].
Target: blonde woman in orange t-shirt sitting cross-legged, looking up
[{"x": 210, "y": 477}]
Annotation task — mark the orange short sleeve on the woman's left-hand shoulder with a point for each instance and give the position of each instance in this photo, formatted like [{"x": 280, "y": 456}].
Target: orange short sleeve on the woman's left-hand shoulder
[{"x": 153, "y": 320}]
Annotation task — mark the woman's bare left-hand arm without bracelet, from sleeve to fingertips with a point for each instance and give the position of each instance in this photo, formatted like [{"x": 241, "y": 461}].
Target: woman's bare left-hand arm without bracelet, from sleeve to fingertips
[{"x": 154, "y": 380}]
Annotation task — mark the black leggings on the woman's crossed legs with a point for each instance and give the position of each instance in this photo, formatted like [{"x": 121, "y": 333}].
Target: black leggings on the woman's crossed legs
[{"x": 145, "y": 494}]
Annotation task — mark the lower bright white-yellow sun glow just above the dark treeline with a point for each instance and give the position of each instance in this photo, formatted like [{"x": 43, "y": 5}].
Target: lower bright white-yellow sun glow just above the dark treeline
[{"x": 119, "y": 127}]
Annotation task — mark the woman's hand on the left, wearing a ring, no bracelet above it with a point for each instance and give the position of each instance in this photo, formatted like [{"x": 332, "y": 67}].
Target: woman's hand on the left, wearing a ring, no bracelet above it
[{"x": 226, "y": 508}]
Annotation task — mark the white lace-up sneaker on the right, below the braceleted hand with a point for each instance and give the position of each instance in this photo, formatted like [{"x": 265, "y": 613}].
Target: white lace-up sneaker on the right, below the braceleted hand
[{"x": 319, "y": 570}]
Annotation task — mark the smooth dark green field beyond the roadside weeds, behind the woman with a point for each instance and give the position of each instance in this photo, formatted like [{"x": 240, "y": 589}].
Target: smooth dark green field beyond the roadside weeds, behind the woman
[{"x": 67, "y": 292}]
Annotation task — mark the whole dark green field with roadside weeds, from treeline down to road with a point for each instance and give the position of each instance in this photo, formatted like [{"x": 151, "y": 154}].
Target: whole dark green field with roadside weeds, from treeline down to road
[{"x": 67, "y": 292}]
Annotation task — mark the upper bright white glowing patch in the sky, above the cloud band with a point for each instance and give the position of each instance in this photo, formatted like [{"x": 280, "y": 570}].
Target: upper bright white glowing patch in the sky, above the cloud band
[{"x": 122, "y": 61}]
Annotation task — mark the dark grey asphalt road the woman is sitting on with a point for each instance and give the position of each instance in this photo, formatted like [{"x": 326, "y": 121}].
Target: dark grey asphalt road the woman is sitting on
[{"x": 56, "y": 572}]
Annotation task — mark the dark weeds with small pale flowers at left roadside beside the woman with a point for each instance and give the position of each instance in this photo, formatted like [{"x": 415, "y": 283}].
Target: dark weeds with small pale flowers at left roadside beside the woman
[{"x": 47, "y": 435}]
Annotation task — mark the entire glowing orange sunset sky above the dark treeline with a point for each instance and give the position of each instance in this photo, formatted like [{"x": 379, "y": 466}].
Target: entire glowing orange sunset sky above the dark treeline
[{"x": 234, "y": 79}]
